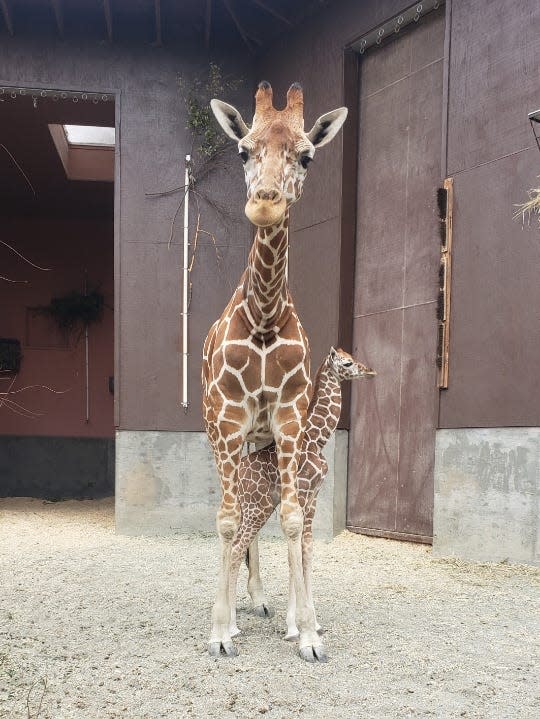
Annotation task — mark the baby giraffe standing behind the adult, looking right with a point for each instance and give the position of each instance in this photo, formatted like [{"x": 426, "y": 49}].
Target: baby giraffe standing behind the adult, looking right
[{"x": 259, "y": 487}]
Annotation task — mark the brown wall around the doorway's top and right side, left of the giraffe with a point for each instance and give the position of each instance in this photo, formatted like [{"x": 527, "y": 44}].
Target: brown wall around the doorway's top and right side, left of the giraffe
[{"x": 153, "y": 142}]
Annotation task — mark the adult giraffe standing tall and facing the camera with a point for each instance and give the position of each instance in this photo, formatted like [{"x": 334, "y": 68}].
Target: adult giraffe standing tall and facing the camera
[{"x": 255, "y": 370}]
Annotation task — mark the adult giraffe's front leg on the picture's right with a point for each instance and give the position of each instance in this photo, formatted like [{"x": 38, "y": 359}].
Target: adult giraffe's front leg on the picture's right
[{"x": 310, "y": 645}]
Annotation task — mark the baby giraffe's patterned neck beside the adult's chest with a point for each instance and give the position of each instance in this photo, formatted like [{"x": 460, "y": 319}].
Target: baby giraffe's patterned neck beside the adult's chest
[{"x": 325, "y": 406}]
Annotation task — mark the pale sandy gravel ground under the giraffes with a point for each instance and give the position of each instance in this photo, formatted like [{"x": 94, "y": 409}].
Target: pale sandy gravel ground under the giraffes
[{"x": 117, "y": 627}]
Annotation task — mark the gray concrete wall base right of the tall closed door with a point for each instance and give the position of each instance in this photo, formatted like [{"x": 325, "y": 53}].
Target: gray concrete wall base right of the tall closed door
[{"x": 487, "y": 494}]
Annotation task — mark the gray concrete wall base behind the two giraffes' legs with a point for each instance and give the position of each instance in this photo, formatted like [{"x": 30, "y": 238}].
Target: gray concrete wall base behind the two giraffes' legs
[{"x": 167, "y": 483}]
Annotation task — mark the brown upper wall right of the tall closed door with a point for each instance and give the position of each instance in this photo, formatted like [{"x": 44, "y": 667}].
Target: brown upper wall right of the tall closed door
[{"x": 496, "y": 262}]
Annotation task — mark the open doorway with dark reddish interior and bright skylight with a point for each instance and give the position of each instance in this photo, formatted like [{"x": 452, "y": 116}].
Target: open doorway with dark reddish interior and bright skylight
[{"x": 57, "y": 201}]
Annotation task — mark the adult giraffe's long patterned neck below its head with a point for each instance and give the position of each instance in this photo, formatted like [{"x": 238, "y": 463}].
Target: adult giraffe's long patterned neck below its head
[{"x": 266, "y": 297}]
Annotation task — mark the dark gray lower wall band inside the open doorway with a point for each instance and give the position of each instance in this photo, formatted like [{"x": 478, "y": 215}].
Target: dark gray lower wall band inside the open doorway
[{"x": 56, "y": 467}]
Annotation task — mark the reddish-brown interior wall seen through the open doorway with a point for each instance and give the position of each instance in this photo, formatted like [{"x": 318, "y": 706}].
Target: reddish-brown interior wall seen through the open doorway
[{"x": 50, "y": 358}]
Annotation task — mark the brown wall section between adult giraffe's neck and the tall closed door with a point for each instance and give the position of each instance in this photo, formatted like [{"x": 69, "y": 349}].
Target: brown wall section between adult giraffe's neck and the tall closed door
[{"x": 315, "y": 59}]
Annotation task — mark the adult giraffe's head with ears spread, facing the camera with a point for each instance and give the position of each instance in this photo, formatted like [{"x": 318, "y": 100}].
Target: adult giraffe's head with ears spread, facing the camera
[{"x": 275, "y": 150}]
